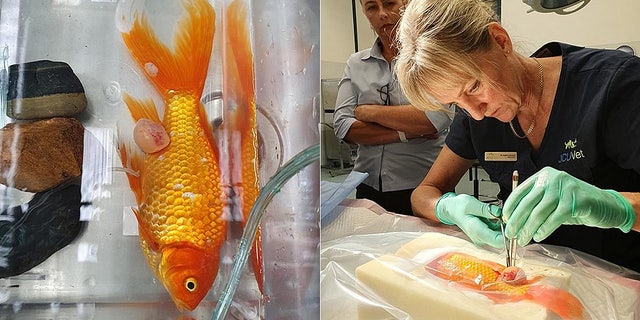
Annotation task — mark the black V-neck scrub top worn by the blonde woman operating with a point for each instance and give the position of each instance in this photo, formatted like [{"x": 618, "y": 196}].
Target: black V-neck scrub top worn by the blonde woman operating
[{"x": 593, "y": 134}]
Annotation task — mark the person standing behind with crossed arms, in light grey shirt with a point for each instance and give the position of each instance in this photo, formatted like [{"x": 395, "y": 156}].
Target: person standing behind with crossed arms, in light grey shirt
[{"x": 397, "y": 143}]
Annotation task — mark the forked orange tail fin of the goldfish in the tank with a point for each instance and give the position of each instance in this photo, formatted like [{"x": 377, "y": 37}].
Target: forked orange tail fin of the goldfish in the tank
[{"x": 185, "y": 68}]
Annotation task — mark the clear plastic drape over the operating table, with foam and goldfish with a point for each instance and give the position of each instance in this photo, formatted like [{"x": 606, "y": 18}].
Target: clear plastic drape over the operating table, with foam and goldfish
[{"x": 377, "y": 265}]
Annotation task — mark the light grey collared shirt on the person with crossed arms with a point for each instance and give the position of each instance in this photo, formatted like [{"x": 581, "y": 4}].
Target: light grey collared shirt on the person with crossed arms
[{"x": 399, "y": 166}]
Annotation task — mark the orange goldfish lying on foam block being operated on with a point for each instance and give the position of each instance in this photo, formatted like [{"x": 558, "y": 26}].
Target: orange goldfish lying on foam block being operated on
[{"x": 486, "y": 277}]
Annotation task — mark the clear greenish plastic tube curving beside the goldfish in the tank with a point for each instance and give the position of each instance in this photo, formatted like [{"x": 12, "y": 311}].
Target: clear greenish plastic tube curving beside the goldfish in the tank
[{"x": 273, "y": 186}]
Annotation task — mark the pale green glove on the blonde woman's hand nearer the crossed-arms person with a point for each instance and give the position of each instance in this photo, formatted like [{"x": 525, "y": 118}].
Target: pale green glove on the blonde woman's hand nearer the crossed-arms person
[{"x": 472, "y": 216}]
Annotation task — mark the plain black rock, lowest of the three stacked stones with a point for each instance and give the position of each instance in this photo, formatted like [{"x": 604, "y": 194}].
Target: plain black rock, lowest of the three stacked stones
[{"x": 32, "y": 232}]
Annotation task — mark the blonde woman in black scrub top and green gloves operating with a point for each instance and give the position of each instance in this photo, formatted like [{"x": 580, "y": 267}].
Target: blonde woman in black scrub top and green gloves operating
[{"x": 566, "y": 118}]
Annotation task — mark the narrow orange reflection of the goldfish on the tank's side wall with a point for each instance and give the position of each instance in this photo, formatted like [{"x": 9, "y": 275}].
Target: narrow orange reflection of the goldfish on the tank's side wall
[{"x": 239, "y": 87}]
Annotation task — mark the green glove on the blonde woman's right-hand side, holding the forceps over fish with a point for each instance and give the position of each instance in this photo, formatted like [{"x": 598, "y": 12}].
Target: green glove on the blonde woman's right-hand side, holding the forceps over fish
[{"x": 551, "y": 198}]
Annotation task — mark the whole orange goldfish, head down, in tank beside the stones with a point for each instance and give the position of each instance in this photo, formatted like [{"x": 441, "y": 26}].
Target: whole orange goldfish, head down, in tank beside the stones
[{"x": 177, "y": 188}]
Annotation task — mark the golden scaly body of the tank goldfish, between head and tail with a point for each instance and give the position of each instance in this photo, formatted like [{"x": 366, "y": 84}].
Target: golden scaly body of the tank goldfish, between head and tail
[{"x": 175, "y": 210}]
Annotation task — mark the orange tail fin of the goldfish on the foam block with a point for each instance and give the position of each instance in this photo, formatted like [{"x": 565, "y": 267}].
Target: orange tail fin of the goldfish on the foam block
[{"x": 561, "y": 302}]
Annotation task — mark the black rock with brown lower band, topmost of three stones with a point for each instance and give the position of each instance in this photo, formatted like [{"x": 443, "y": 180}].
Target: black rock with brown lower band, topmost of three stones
[{"x": 44, "y": 89}]
